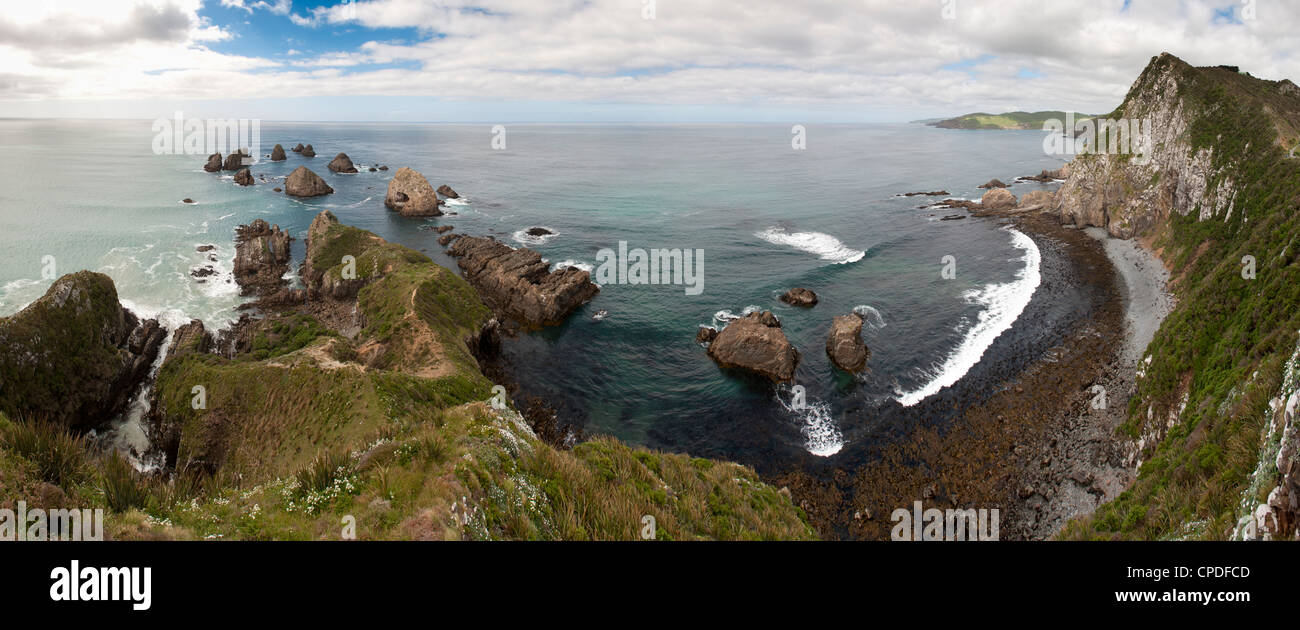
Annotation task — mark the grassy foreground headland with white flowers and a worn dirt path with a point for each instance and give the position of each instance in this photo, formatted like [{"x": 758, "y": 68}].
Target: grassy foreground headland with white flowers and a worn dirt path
[{"x": 302, "y": 436}]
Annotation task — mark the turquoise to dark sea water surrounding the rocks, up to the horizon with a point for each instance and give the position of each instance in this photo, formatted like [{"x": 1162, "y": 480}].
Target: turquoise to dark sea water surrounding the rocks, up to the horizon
[{"x": 93, "y": 195}]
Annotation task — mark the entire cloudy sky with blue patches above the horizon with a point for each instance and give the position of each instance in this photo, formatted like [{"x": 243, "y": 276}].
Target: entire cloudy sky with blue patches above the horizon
[{"x": 613, "y": 60}]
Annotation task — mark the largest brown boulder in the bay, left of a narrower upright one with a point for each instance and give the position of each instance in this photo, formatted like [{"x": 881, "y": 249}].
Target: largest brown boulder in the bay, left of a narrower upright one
[{"x": 753, "y": 344}]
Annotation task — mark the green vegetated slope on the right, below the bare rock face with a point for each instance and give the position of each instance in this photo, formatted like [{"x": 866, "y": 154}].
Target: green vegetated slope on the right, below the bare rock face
[{"x": 1220, "y": 355}]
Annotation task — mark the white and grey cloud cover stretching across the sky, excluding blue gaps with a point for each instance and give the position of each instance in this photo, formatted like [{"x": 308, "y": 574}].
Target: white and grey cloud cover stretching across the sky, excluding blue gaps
[{"x": 872, "y": 55}]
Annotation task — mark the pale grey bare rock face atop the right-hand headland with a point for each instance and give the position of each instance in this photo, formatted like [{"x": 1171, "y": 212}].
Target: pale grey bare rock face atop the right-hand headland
[{"x": 1186, "y": 170}]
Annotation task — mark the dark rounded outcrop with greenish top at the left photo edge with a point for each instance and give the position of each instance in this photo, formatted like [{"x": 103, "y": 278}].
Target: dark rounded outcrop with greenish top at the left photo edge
[{"x": 75, "y": 357}]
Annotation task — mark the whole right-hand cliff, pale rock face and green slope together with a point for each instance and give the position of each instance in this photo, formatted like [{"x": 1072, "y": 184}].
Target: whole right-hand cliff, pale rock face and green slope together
[{"x": 1216, "y": 194}]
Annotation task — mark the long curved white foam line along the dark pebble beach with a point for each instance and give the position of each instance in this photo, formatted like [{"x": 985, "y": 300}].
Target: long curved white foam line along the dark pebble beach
[{"x": 1003, "y": 306}]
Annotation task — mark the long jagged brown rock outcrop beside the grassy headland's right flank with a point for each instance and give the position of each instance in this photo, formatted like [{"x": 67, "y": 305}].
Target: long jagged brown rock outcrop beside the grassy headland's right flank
[{"x": 519, "y": 284}]
